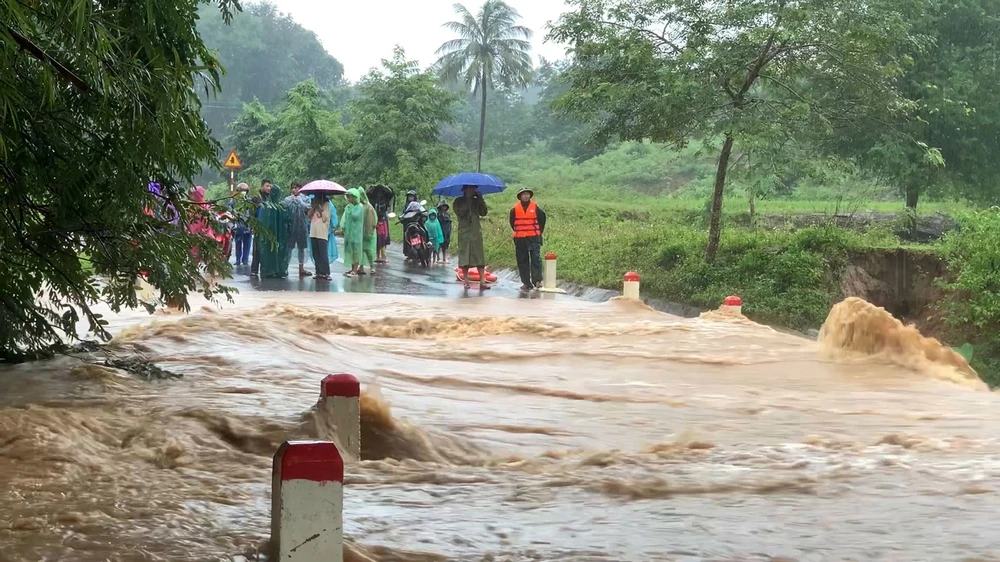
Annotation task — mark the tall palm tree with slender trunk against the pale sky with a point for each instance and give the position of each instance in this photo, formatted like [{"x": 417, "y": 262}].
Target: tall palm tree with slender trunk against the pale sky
[{"x": 490, "y": 50}]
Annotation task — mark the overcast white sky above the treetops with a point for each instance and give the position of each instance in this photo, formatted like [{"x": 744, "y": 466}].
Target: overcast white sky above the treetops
[{"x": 360, "y": 33}]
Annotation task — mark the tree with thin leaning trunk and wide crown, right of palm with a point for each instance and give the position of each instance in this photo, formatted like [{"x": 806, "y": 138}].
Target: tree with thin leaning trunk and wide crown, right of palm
[{"x": 668, "y": 70}]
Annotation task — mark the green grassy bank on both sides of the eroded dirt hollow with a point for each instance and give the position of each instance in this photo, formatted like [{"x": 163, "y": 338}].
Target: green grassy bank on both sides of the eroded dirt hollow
[{"x": 786, "y": 278}]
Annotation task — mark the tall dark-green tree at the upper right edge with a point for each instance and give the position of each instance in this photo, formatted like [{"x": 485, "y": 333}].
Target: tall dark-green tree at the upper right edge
[{"x": 947, "y": 141}]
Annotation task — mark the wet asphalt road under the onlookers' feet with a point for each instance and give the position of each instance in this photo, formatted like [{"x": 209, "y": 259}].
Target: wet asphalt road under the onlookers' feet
[{"x": 396, "y": 277}]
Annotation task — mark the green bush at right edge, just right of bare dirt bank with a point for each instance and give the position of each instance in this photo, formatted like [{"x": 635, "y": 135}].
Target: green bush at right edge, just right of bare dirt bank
[{"x": 973, "y": 303}]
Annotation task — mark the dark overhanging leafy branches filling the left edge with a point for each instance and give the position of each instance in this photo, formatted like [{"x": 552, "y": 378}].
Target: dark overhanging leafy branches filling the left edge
[{"x": 98, "y": 100}]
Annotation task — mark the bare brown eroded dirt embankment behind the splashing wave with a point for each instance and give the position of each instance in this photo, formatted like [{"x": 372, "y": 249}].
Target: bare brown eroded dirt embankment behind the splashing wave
[{"x": 902, "y": 281}]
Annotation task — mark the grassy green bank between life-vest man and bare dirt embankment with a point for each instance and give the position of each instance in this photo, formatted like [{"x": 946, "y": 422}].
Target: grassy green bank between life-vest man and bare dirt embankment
[{"x": 786, "y": 278}]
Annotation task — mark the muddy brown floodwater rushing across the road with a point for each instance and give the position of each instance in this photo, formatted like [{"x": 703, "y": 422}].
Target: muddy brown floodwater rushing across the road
[{"x": 575, "y": 431}]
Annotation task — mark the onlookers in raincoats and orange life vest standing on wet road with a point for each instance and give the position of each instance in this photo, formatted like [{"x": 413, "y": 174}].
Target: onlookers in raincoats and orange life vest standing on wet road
[{"x": 298, "y": 222}]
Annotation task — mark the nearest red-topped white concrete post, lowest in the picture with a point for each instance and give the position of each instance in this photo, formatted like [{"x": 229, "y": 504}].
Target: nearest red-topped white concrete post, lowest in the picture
[{"x": 307, "y": 502}]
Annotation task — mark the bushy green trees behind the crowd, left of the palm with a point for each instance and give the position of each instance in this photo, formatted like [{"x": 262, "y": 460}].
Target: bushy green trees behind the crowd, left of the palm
[{"x": 387, "y": 134}]
